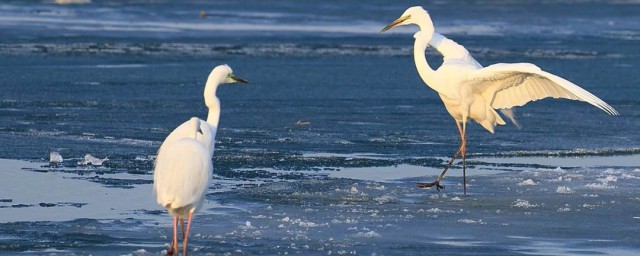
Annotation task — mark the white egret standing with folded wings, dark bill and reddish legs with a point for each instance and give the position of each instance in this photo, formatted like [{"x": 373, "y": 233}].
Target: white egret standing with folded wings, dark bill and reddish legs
[{"x": 184, "y": 166}]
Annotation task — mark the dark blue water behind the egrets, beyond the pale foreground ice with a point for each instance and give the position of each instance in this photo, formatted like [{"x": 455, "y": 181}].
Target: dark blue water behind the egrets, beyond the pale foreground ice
[{"x": 115, "y": 77}]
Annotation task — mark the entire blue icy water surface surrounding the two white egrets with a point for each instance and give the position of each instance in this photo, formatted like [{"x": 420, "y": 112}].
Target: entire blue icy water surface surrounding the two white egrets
[{"x": 113, "y": 78}]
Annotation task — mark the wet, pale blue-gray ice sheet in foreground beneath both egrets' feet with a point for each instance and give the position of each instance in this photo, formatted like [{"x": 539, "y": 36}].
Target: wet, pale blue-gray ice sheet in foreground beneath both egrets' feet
[{"x": 521, "y": 207}]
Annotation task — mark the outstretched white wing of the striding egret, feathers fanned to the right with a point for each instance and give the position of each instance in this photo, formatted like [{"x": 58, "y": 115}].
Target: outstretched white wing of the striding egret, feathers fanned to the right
[{"x": 512, "y": 85}]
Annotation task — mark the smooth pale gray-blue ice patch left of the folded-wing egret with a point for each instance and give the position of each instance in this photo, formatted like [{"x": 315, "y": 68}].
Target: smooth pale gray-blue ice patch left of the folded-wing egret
[{"x": 31, "y": 192}]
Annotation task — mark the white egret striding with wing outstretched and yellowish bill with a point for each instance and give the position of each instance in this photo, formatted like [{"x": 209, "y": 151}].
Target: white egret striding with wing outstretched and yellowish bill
[{"x": 470, "y": 91}]
